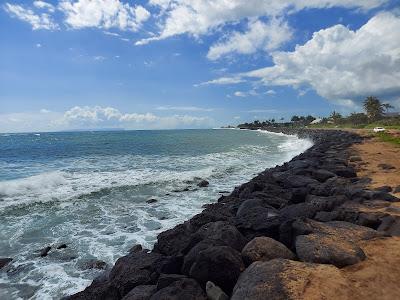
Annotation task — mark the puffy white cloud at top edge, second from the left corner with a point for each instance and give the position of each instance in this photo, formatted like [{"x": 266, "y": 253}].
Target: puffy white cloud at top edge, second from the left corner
[{"x": 103, "y": 14}]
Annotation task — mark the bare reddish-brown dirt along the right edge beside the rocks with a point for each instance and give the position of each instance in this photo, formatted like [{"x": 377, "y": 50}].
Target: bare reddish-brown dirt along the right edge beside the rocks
[{"x": 377, "y": 277}]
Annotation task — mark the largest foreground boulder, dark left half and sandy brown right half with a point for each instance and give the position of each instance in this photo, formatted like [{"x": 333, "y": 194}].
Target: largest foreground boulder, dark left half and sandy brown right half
[{"x": 282, "y": 279}]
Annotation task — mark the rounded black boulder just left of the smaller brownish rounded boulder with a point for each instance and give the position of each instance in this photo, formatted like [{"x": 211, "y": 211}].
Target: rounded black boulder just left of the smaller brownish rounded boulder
[{"x": 219, "y": 264}]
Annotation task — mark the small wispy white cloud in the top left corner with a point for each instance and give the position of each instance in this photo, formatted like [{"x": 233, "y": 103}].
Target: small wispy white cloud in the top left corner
[{"x": 37, "y": 21}]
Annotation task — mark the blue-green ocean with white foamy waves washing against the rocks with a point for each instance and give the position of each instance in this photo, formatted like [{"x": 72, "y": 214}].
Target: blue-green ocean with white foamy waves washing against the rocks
[{"x": 89, "y": 190}]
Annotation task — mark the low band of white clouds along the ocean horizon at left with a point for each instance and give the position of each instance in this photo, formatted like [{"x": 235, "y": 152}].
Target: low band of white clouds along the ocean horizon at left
[{"x": 96, "y": 117}]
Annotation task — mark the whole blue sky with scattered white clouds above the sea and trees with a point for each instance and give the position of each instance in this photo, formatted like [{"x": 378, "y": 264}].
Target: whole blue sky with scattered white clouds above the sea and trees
[{"x": 165, "y": 64}]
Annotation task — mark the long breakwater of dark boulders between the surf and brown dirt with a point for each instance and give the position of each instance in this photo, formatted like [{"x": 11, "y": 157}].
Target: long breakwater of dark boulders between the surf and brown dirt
[{"x": 271, "y": 238}]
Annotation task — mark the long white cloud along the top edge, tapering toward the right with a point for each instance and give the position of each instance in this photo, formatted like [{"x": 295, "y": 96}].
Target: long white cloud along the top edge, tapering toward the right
[{"x": 197, "y": 18}]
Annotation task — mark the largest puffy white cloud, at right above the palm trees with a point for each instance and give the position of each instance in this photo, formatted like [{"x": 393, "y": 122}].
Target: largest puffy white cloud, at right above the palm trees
[{"x": 341, "y": 64}]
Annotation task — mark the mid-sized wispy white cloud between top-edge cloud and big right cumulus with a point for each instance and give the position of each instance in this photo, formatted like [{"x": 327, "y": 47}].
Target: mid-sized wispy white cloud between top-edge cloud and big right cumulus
[{"x": 259, "y": 36}]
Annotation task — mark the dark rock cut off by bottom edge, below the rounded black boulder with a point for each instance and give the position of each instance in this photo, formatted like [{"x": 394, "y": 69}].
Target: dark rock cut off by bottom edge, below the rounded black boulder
[{"x": 187, "y": 289}]
